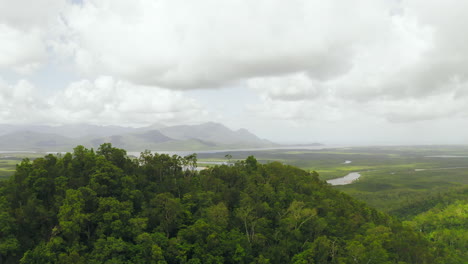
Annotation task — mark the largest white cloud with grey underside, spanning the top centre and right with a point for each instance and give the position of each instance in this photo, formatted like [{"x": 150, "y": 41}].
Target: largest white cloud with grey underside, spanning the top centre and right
[{"x": 362, "y": 53}]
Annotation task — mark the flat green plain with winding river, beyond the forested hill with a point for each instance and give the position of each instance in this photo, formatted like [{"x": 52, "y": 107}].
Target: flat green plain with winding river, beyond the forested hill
[{"x": 400, "y": 180}]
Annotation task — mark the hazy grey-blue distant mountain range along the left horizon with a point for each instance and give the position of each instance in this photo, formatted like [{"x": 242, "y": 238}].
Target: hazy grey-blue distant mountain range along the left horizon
[{"x": 205, "y": 136}]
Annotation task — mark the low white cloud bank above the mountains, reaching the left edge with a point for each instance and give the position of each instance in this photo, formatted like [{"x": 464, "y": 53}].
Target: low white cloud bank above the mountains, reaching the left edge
[{"x": 103, "y": 101}]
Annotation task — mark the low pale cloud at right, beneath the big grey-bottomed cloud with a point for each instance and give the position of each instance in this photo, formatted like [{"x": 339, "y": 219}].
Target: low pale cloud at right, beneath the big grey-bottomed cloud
[{"x": 297, "y": 99}]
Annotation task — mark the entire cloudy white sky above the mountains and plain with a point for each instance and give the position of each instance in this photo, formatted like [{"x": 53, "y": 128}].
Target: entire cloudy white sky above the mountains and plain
[{"x": 297, "y": 71}]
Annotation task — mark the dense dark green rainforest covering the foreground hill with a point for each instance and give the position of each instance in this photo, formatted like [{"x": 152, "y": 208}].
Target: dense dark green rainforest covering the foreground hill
[{"x": 104, "y": 207}]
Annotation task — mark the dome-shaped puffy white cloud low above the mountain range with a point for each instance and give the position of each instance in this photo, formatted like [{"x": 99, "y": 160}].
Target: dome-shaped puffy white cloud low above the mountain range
[{"x": 109, "y": 101}]
